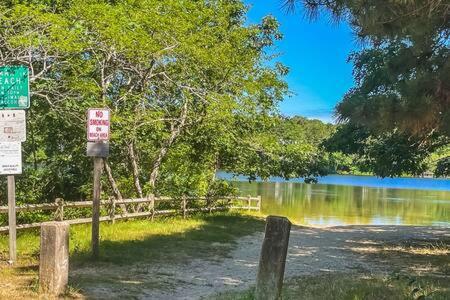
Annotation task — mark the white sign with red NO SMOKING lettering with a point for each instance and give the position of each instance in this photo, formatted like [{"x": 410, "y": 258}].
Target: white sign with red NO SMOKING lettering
[{"x": 98, "y": 124}]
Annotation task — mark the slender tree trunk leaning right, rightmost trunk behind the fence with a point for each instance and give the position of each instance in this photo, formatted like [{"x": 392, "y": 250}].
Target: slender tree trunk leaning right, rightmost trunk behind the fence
[{"x": 175, "y": 132}]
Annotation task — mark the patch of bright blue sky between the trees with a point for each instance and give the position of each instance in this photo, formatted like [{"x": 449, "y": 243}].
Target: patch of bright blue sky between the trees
[{"x": 316, "y": 53}]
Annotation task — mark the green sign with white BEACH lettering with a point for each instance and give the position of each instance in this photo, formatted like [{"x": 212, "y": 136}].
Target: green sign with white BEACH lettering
[{"x": 14, "y": 87}]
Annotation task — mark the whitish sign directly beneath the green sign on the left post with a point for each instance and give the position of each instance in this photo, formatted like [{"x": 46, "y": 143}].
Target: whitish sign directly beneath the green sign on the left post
[{"x": 12, "y": 126}]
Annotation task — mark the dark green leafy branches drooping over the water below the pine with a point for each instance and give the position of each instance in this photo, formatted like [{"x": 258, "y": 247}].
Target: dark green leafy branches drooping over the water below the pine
[{"x": 389, "y": 154}]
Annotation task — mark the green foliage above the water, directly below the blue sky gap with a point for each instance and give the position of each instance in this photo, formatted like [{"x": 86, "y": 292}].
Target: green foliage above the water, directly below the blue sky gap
[{"x": 284, "y": 147}]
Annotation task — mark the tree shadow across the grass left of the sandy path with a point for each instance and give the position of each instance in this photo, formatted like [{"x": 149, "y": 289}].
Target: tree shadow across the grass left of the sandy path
[{"x": 137, "y": 267}]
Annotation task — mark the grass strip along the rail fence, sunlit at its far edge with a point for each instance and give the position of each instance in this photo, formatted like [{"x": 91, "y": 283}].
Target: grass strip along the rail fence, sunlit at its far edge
[{"x": 171, "y": 239}]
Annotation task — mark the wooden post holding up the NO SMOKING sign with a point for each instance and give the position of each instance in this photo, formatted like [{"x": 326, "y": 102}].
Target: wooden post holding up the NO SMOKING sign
[{"x": 98, "y": 167}]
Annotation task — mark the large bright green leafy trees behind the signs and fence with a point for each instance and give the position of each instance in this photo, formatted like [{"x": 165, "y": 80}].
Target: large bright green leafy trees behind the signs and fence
[{"x": 187, "y": 83}]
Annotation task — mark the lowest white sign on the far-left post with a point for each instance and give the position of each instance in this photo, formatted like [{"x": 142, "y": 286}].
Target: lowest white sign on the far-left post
[{"x": 10, "y": 158}]
